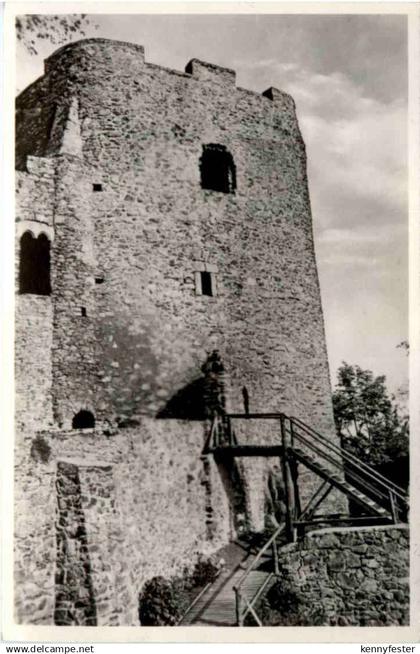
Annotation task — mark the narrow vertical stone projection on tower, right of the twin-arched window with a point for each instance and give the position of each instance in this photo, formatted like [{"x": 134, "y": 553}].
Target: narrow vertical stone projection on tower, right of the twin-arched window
[{"x": 76, "y": 353}]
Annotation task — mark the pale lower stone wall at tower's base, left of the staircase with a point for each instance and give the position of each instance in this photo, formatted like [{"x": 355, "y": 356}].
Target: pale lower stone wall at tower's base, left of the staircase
[{"x": 109, "y": 512}]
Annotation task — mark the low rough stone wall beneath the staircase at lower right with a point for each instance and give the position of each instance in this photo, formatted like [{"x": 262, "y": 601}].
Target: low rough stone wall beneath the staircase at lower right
[{"x": 350, "y": 577}]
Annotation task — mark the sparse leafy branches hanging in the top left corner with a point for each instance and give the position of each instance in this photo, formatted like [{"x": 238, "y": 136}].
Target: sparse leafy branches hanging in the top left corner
[{"x": 33, "y": 28}]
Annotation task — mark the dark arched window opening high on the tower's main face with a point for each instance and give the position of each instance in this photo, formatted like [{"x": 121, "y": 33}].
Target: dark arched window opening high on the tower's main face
[{"x": 217, "y": 169}]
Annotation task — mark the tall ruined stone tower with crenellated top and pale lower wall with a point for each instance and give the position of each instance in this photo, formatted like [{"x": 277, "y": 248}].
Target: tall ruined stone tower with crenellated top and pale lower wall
[{"x": 165, "y": 267}]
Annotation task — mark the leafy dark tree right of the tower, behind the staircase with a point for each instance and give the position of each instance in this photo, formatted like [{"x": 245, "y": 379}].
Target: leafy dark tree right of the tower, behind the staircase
[{"x": 368, "y": 421}]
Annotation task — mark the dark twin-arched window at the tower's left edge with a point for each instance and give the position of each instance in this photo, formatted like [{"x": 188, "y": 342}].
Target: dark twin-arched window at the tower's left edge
[{"x": 34, "y": 265}]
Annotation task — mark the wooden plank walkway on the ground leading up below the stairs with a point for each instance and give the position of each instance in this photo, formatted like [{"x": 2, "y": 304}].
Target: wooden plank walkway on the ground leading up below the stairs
[{"x": 217, "y": 606}]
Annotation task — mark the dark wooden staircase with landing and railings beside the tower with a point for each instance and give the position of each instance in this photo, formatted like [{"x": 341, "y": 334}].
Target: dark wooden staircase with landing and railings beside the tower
[{"x": 380, "y": 500}]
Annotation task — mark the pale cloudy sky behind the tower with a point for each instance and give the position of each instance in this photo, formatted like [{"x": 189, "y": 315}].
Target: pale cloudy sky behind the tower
[{"x": 348, "y": 76}]
